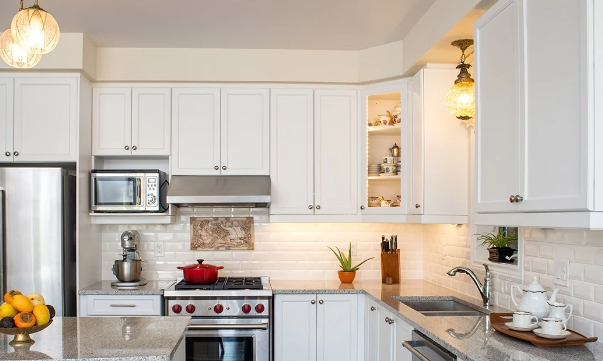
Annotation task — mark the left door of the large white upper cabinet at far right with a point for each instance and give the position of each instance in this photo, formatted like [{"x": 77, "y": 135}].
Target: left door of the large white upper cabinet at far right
[{"x": 497, "y": 89}]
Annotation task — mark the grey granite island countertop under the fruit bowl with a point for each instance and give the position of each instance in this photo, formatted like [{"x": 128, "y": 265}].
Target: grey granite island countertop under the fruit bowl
[{"x": 106, "y": 338}]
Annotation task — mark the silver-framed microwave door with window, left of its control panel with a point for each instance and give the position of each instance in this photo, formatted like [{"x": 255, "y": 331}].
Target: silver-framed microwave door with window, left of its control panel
[{"x": 116, "y": 192}]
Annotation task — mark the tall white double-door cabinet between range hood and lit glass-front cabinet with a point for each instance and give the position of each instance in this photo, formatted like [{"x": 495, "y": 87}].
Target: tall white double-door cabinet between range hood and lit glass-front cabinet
[{"x": 313, "y": 152}]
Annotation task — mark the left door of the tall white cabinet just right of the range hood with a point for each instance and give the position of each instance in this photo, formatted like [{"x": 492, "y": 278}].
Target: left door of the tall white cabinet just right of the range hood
[{"x": 292, "y": 151}]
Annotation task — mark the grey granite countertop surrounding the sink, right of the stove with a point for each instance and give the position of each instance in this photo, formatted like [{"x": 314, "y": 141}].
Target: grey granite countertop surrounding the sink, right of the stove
[{"x": 471, "y": 338}]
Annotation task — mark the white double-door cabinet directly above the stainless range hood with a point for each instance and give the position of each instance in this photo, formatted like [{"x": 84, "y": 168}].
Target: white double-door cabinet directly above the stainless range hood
[{"x": 220, "y": 131}]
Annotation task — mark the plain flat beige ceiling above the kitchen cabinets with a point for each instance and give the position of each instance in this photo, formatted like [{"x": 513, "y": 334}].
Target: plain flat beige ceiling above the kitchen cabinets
[{"x": 242, "y": 24}]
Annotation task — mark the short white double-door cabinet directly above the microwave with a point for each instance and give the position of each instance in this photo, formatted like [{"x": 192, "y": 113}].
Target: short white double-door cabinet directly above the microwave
[{"x": 131, "y": 121}]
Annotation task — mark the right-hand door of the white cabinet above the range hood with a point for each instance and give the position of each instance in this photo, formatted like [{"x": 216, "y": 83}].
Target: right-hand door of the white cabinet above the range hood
[{"x": 245, "y": 141}]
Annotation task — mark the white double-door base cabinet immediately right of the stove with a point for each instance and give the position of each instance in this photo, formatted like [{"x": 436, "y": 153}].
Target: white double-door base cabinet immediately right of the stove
[{"x": 322, "y": 327}]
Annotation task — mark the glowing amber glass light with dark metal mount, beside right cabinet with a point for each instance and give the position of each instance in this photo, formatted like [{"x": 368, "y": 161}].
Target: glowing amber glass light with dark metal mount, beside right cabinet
[{"x": 460, "y": 99}]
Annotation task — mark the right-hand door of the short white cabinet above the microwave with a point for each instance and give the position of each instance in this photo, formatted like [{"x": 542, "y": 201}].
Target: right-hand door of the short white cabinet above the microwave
[{"x": 151, "y": 112}]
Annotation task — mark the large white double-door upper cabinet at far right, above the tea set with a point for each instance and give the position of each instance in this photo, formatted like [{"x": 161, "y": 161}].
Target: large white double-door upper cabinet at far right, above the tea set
[{"x": 535, "y": 125}]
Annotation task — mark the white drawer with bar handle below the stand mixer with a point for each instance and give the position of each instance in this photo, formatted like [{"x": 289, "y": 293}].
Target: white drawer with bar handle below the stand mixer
[{"x": 101, "y": 305}]
